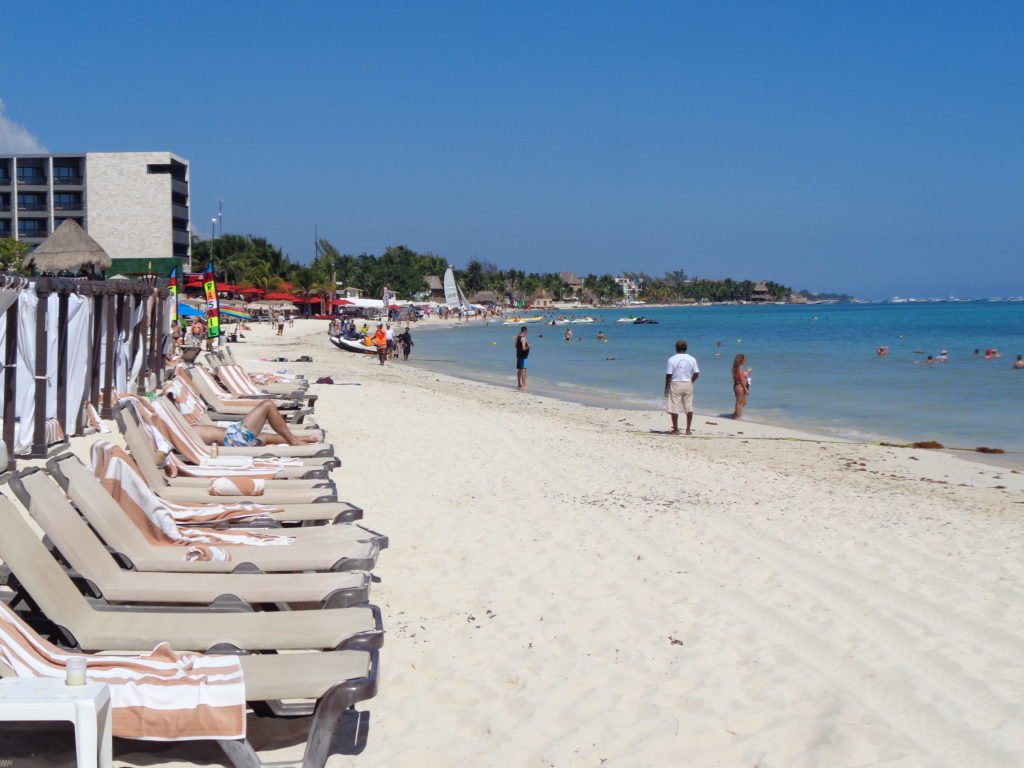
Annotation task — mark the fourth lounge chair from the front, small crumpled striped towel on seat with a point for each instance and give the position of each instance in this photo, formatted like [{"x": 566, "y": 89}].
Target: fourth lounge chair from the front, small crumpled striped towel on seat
[{"x": 126, "y": 529}]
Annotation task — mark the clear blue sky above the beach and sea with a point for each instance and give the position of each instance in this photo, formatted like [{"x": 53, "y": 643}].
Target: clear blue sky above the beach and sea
[{"x": 872, "y": 148}]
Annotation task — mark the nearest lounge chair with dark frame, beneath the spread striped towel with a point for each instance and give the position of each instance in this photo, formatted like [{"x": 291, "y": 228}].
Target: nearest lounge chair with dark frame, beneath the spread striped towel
[{"x": 325, "y": 685}]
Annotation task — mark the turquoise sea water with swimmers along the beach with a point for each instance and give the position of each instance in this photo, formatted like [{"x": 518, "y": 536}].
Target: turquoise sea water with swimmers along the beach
[{"x": 815, "y": 366}]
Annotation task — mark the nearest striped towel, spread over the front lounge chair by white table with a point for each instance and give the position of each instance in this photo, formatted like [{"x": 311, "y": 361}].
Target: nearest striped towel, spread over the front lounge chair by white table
[{"x": 160, "y": 697}]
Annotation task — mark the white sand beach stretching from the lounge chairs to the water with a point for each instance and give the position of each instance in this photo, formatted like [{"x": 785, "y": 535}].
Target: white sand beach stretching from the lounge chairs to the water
[{"x": 565, "y": 587}]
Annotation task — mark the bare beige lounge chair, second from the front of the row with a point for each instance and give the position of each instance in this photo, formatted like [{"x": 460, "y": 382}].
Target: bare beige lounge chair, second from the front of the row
[{"x": 50, "y": 595}]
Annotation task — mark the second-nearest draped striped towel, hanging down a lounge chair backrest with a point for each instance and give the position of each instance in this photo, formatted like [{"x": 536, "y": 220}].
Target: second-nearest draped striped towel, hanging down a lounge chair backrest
[{"x": 156, "y": 522}]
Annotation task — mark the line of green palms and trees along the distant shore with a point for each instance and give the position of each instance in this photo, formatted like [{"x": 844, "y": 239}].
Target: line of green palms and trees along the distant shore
[{"x": 251, "y": 262}]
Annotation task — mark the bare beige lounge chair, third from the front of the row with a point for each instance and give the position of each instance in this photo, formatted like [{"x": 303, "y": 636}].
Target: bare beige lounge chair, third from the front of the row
[{"x": 94, "y": 567}]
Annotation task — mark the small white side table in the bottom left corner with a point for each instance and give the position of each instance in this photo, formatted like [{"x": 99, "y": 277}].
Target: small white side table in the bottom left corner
[{"x": 89, "y": 707}]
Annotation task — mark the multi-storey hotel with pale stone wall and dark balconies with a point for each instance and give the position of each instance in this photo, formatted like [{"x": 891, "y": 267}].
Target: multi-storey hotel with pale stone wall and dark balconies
[{"x": 135, "y": 204}]
